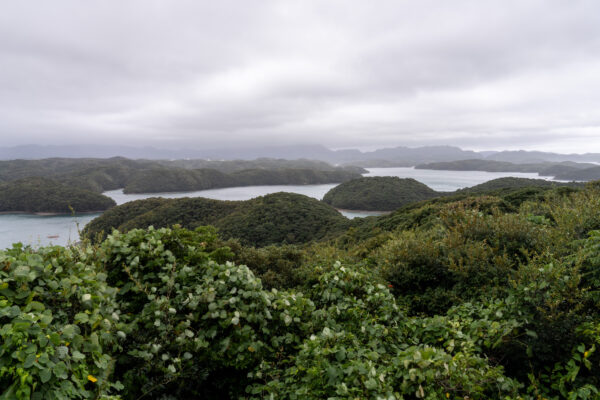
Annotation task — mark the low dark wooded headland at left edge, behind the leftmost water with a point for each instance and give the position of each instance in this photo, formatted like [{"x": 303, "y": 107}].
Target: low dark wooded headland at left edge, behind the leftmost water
[{"x": 45, "y": 195}]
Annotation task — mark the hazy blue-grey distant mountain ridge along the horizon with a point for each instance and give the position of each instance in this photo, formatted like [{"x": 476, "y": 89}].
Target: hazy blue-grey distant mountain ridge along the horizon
[{"x": 400, "y": 156}]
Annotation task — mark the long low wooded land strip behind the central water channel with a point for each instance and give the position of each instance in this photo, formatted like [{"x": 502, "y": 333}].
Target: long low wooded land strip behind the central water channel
[{"x": 185, "y": 180}]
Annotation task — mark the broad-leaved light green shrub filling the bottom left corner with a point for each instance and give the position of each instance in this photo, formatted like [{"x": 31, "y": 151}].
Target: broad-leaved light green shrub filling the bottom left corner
[{"x": 59, "y": 326}]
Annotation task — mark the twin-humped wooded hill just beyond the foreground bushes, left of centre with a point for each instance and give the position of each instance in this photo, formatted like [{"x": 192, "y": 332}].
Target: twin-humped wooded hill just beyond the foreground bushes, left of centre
[{"x": 272, "y": 219}]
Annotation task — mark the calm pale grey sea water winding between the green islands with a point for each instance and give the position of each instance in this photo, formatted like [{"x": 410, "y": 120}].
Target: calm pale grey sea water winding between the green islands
[{"x": 43, "y": 230}]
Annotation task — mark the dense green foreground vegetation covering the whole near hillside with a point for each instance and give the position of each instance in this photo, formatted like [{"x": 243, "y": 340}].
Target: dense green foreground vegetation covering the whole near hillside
[{"x": 465, "y": 296}]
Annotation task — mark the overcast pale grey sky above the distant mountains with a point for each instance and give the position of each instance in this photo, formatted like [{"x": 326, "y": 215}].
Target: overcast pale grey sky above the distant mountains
[{"x": 349, "y": 73}]
